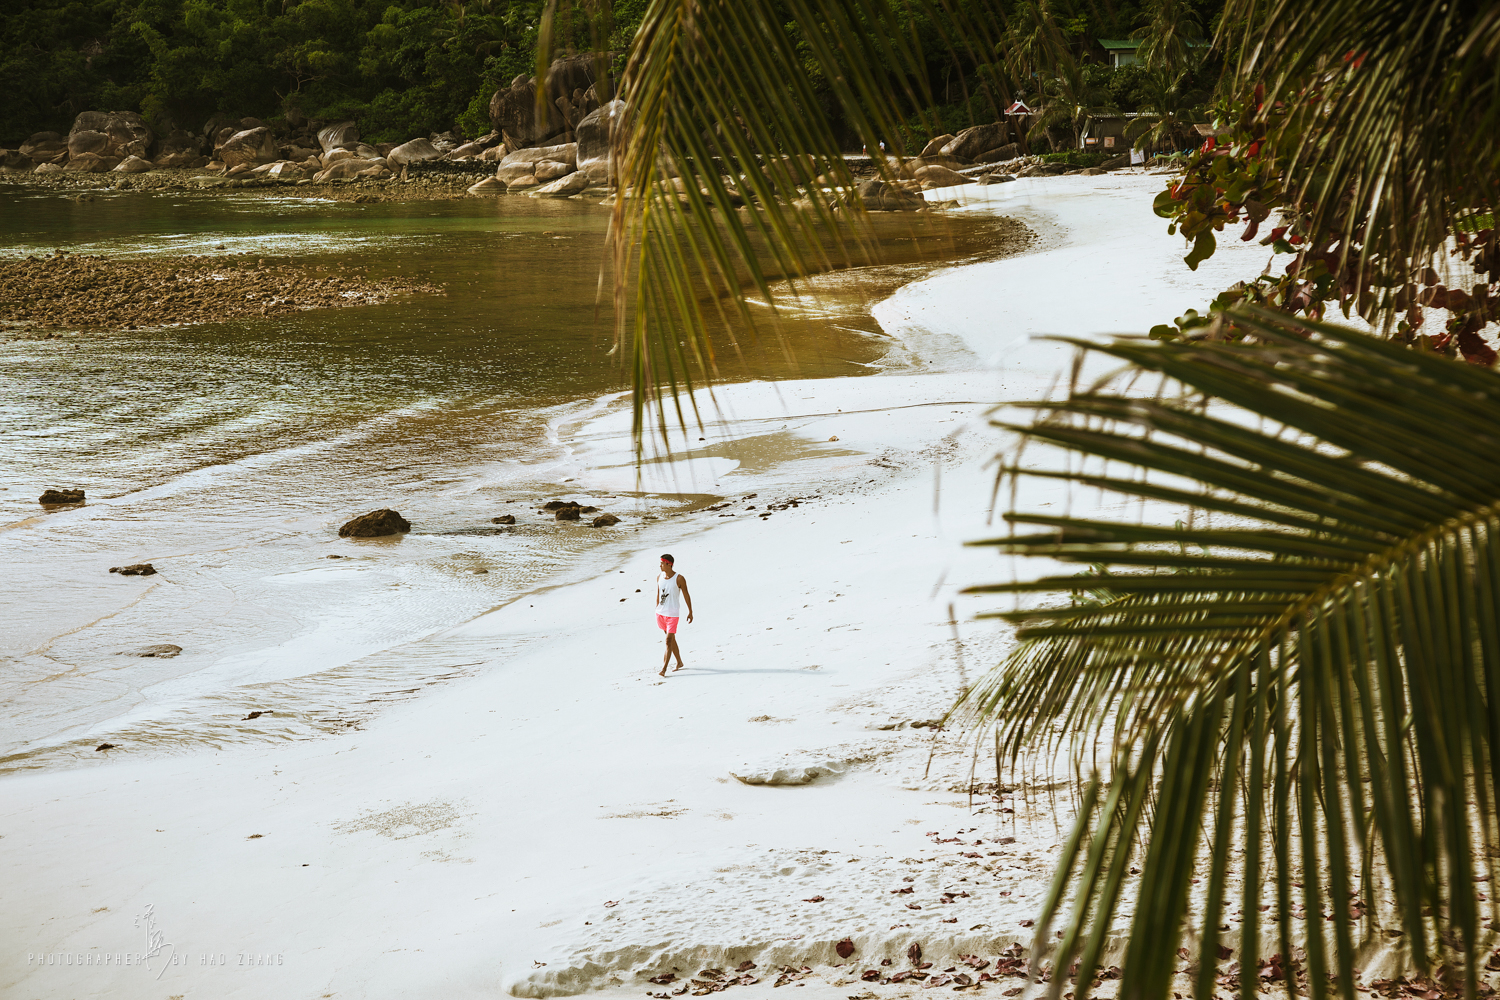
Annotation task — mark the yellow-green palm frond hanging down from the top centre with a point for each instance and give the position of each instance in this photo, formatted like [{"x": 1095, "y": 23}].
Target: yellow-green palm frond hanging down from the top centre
[{"x": 731, "y": 175}]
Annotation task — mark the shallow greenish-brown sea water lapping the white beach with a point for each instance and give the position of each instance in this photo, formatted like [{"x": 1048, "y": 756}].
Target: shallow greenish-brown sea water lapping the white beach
[{"x": 229, "y": 455}]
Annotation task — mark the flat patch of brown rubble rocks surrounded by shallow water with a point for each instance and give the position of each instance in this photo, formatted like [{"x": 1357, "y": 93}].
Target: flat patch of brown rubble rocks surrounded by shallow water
[{"x": 97, "y": 293}]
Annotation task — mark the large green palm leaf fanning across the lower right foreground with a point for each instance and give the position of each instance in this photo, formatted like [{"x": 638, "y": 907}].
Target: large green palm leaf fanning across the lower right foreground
[{"x": 1307, "y": 672}]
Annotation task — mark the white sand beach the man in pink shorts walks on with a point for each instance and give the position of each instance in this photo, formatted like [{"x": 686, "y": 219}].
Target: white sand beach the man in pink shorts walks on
[{"x": 557, "y": 819}]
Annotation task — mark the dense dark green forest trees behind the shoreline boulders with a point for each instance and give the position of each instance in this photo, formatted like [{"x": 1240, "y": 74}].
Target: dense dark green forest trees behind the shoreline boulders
[{"x": 413, "y": 67}]
